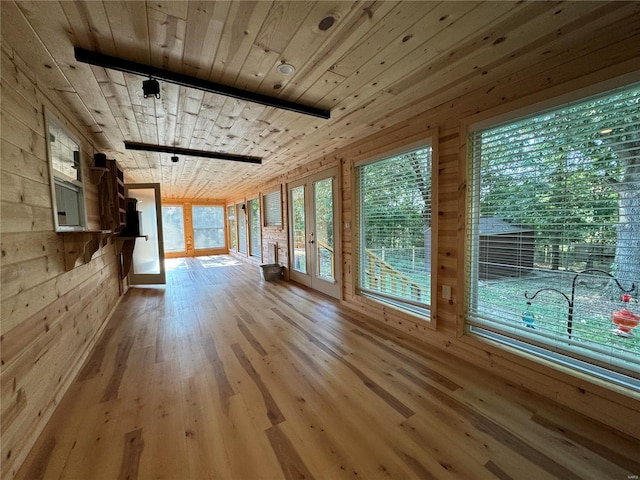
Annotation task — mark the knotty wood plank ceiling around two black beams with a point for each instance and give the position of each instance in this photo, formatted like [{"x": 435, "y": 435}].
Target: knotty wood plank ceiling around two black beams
[{"x": 370, "y": 63}]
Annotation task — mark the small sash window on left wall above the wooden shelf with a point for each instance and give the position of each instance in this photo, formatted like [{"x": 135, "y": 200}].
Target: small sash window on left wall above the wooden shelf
[{"x": 65, "y": 167}]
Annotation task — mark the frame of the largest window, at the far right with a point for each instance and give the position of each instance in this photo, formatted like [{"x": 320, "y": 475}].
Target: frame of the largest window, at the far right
[{"x": 579, "y": 364}]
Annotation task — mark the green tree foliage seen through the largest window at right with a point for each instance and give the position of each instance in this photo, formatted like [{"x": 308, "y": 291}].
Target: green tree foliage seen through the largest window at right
[{"x": 573, "y": 174}]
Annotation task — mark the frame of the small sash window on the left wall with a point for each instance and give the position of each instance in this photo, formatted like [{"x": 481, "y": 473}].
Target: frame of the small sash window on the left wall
[{"x": 60, "y": 180}]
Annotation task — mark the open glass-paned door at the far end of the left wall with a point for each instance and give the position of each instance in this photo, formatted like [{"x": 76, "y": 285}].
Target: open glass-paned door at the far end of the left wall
[{"x": 148, "y": 252}]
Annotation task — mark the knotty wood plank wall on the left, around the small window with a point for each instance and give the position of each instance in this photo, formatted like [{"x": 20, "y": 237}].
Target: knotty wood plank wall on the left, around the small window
[{"x": 51, "y": 318}]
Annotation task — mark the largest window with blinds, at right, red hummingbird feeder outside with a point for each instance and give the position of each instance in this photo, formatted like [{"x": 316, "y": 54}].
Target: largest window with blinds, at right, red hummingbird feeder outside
[{"x": 554, "y": 225}]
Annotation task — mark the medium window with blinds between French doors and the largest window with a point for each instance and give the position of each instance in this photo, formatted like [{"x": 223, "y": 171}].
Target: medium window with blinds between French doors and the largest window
[{"x": 394, "y": 218}]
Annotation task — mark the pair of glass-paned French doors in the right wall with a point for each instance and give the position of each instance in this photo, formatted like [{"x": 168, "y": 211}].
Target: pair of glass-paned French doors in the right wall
[{"x": 314, "y": 232}]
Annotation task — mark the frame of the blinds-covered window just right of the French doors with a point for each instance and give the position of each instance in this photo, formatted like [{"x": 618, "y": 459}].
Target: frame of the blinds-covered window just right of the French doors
[{"x": 426, "y": 316}]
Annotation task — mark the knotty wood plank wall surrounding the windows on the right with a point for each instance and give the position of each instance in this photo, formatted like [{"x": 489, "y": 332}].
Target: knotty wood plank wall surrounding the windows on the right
[{"x": 613, "y": 406}]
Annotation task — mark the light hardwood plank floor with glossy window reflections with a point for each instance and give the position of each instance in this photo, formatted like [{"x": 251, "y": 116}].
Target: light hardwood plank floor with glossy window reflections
[{"x": 223, "y": 376}]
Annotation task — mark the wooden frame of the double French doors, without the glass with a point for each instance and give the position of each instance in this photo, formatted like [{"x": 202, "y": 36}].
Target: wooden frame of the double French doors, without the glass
[{"x": 333, "y": 289}]
